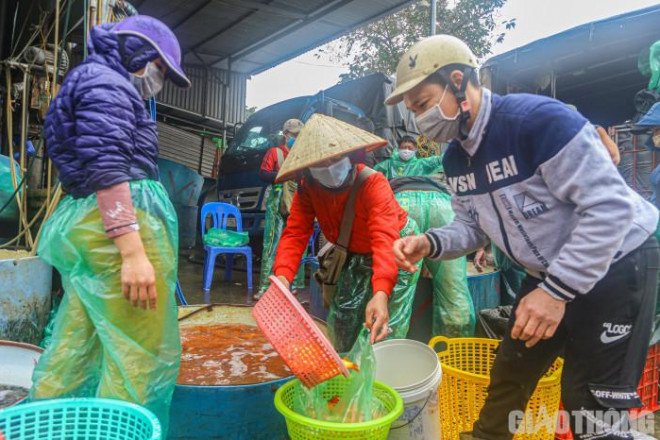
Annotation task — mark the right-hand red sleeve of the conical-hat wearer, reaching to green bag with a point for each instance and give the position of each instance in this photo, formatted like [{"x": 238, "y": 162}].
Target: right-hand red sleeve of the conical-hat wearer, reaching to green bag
[{"x": 382, "y": 210}]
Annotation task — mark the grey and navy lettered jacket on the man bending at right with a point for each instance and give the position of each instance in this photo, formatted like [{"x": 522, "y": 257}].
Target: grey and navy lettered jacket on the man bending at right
[{"x": 534, "y": 178}]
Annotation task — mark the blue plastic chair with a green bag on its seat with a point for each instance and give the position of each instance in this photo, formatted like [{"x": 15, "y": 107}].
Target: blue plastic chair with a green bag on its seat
[{"x": 220, "y": 212}]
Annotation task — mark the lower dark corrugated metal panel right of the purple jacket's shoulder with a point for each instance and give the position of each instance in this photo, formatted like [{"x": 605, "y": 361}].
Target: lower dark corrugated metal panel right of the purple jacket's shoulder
[{"x": 186, "y": 148}]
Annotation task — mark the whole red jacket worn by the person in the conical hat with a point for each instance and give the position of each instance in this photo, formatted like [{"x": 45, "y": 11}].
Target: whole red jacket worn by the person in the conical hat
[{"x": 378, "y": 223}]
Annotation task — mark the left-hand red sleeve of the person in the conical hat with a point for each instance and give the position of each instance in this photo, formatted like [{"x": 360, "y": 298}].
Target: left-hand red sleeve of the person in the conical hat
[{"x": 299, "y": 227}]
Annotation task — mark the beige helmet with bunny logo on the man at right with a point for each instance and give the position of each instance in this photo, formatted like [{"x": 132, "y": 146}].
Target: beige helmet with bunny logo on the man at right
[{"x": 425, "y": 58}]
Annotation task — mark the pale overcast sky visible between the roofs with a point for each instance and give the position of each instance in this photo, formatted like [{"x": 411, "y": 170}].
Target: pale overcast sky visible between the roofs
[{"x": 306, "y": 75}]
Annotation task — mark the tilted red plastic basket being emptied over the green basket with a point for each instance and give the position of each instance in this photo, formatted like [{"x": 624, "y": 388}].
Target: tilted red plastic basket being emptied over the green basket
[{"x": 292, "y": 332}]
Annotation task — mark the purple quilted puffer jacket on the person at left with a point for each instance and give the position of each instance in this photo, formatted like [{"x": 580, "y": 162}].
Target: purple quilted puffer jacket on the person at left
[{"x": 98, "y": 132}]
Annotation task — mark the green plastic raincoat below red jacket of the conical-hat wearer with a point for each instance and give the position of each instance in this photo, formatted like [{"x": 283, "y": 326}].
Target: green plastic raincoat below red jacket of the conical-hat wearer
[{"x": 354, "y": 290}]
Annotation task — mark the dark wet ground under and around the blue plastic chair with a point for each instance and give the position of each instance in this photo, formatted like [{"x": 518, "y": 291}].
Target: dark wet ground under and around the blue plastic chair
[{"x": 235, "y": 291}]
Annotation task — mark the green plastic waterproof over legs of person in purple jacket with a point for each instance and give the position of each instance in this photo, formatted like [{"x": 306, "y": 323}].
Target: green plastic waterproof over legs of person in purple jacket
[{"x": 101, "y": 345}]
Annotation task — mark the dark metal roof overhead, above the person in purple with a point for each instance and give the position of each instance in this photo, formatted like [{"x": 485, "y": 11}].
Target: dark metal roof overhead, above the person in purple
[{"x": 250, "y": 36}]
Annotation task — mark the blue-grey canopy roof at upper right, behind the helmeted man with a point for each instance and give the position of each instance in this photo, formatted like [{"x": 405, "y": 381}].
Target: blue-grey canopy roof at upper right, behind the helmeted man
[{"x": 593, "y": 66}]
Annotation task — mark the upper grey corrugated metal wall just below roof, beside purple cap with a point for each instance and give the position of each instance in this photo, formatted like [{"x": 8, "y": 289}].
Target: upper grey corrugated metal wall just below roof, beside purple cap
[{"x": 205, "y": 96}]
